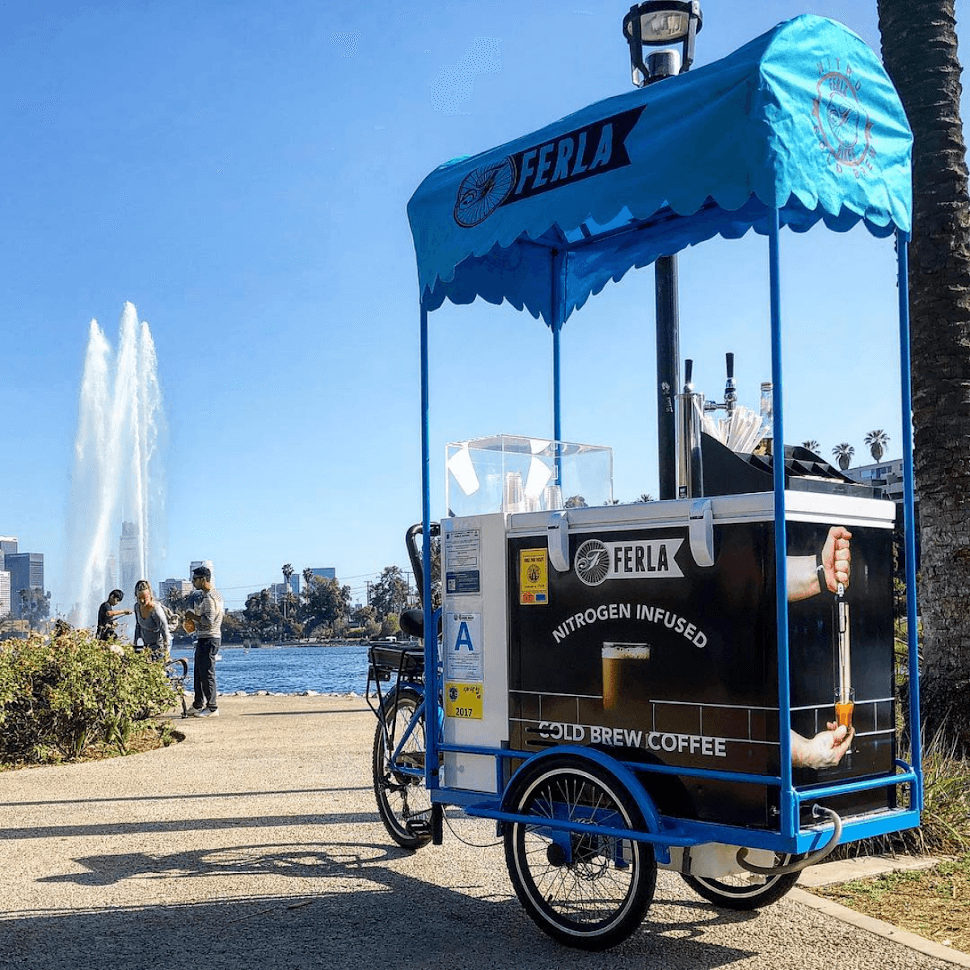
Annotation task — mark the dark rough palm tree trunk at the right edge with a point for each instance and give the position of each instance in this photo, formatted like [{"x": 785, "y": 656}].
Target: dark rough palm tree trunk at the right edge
[{"x": 919, "y": 46}]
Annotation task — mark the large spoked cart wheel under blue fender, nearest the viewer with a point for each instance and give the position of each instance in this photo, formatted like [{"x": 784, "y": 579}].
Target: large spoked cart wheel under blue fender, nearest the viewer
[{"x": 585, "y": 890}]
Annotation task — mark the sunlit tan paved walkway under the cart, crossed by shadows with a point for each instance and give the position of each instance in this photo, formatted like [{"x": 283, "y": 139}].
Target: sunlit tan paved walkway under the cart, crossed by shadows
[{"x": 256, "y": 843}]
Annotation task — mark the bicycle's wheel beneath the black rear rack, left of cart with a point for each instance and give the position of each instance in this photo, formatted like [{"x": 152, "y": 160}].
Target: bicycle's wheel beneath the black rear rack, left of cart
[{"x": 402, "y": 800}]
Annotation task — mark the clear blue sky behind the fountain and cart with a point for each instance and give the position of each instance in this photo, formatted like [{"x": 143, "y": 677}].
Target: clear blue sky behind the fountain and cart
[{"x": 239, "y": 171}]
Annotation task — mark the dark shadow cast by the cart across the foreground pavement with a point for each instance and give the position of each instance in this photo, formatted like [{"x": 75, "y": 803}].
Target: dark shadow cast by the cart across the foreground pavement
[{"x": 346, "y": 909}]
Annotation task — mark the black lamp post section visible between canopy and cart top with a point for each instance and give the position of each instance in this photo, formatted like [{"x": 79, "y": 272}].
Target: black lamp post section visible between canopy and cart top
[{"x": 668, "y": 372}]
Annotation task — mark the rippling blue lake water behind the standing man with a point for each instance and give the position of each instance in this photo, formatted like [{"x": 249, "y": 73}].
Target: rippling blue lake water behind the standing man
[{"x": 288, "y": 670}]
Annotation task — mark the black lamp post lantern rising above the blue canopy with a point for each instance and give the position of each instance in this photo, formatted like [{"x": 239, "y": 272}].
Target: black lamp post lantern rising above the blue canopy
[{"x": 663, "y": 24}]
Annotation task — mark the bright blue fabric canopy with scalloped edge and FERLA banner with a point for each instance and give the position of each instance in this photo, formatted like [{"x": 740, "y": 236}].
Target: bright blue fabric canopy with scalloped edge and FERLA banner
[{"x": 803, "y": 119}]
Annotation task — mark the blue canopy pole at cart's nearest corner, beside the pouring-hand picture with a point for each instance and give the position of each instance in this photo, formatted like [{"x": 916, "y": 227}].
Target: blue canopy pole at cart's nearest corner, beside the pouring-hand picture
[{"x": 789, "y": 804}]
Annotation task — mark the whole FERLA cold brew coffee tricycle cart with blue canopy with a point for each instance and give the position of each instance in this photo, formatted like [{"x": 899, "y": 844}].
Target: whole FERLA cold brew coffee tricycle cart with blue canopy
[{"x": 623, "y": 687}]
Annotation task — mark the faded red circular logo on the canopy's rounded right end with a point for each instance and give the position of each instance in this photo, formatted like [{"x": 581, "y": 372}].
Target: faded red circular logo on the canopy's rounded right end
[{"x": 842, "y": 124}]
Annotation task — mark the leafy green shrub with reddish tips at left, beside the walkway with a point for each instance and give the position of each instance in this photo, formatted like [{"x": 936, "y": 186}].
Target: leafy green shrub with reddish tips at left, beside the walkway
[{"x": 60, "y": 694}]
